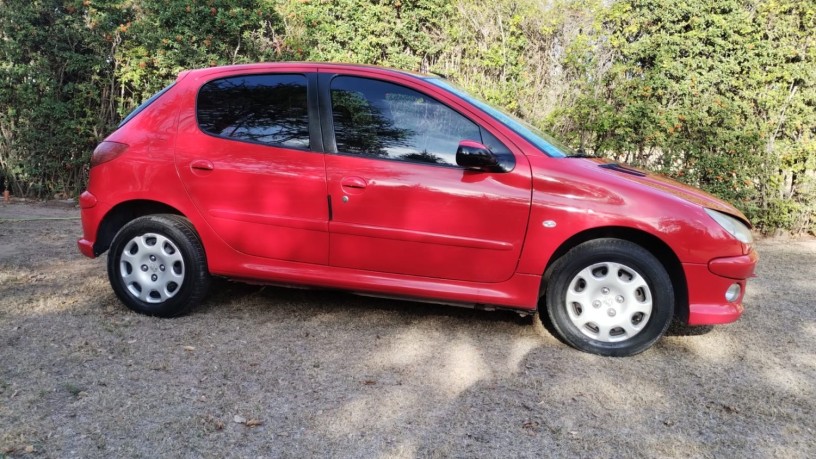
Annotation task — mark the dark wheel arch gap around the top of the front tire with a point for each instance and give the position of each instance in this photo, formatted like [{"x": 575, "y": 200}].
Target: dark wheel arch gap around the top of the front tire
[{"x": 653, "y": 244}]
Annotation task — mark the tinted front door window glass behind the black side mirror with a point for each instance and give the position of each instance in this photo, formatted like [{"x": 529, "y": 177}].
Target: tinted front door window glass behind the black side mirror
[{"x": 384, "y": 120}]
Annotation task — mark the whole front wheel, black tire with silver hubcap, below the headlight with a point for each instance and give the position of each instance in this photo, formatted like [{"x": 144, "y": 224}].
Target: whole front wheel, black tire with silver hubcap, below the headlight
[{"x": 621, "y": 298}]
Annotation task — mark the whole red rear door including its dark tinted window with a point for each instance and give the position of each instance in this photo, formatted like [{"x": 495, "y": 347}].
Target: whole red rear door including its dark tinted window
[{"x": 249, "y": 154}]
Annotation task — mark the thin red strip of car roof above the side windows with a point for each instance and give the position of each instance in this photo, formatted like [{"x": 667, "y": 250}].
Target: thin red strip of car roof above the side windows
[{"x": 301, "y": 66}]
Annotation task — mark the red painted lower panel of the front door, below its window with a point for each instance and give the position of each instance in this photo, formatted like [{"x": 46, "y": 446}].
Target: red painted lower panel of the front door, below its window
[{"x": 427, "y": 220}]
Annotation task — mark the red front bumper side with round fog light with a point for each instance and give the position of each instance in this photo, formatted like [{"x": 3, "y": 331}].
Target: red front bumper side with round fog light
[{"x": 707, "y": 285}]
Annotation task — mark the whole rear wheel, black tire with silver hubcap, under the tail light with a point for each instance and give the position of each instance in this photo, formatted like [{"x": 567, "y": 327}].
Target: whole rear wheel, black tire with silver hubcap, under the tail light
[{"x": 157, "y": 265}]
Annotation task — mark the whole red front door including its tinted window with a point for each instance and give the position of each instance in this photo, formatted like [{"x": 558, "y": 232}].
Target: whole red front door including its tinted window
[{"x": 400, "y": 204}]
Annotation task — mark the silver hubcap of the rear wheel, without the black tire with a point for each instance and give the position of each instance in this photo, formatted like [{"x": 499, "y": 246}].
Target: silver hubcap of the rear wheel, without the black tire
[{"x": 152, "y": 268}]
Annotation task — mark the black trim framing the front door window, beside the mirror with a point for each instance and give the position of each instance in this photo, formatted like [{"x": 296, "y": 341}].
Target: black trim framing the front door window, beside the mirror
[{"x": 327, "y": 121}]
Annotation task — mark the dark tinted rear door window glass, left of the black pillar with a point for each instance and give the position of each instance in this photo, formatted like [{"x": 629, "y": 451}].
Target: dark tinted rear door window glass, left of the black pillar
[{"x": 268, "y": 109}]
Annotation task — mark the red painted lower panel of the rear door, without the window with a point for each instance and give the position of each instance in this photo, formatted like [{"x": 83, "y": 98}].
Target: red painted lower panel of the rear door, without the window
[{"x": 263, "y": 201}]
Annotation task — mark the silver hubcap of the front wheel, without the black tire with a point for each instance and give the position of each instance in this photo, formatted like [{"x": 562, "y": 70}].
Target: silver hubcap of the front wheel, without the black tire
[{"x": 609, "y": 302}]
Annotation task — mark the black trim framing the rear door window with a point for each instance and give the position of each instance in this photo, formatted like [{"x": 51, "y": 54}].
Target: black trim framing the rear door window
[{"x": 312, "y": 108}]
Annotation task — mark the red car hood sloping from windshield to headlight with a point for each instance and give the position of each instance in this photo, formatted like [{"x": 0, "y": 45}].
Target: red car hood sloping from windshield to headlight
[{"x": 669, "y": 186}]
